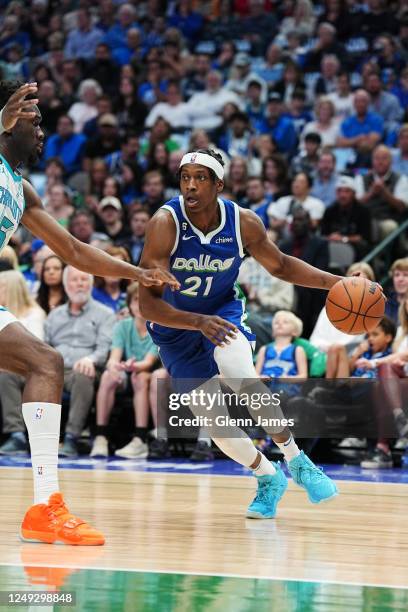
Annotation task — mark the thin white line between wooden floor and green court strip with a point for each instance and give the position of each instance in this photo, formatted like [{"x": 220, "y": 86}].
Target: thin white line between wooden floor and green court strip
[{"x": 208, "y": 574}]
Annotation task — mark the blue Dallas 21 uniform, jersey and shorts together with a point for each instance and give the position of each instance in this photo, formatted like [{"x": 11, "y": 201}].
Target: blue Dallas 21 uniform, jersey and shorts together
[{"x": 207, "y": 267}]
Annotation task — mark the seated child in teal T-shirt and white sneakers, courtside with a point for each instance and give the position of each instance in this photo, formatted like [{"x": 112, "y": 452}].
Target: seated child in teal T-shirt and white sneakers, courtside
[{"x": 133, "y": 355}]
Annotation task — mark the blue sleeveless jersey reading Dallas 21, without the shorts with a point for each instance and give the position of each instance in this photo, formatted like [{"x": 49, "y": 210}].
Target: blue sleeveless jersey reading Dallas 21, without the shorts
[{"x": 207, "y": 266}]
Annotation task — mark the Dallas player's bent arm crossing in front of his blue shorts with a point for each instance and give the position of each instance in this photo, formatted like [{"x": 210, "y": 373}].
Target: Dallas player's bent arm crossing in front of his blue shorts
[{"x": 159, "y": 242}]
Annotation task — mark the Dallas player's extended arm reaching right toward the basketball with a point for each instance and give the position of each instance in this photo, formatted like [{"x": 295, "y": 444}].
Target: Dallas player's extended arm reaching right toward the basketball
[{"x": 285, "y": 267}]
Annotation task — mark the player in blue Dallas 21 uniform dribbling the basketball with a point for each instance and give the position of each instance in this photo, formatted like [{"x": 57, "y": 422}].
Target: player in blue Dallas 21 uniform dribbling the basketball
[{"x": 200, "y": 330}]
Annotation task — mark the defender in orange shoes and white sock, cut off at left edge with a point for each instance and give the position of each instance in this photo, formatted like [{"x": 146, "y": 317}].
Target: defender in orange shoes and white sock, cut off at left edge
[{"x": 21, "y": 141}]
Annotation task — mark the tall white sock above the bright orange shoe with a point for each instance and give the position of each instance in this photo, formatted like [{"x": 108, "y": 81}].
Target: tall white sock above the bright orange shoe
[{"x": 43, "y": 425}]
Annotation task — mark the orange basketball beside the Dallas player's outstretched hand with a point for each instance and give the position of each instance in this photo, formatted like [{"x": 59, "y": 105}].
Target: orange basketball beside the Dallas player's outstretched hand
[{"x": 355, "y": 305}]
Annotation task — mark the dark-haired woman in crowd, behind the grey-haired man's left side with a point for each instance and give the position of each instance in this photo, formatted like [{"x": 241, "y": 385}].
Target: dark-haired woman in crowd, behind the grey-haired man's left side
[{"x": 51, "y": 292}]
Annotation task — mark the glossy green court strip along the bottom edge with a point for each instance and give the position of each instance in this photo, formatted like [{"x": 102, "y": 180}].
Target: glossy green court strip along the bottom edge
[{"x": 110, "y": 590}]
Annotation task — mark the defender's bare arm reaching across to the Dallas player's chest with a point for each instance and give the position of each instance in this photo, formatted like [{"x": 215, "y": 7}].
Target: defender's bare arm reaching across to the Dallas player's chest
[{"x": 80, "y": 255}]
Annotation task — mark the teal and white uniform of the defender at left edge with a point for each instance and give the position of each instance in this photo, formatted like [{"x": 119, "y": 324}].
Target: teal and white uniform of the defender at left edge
[{"x": 11, "y": 210}]
